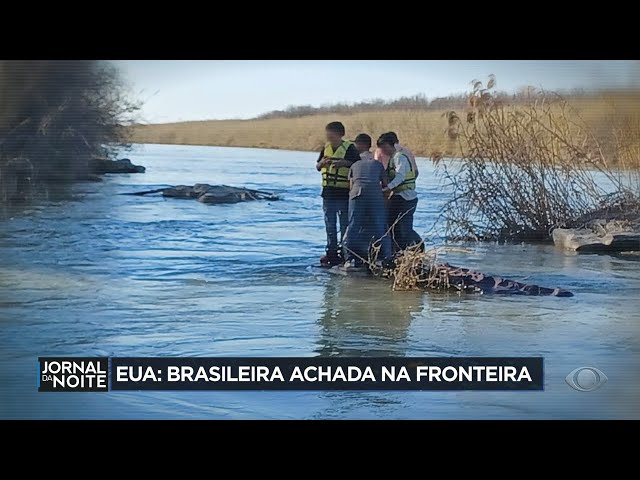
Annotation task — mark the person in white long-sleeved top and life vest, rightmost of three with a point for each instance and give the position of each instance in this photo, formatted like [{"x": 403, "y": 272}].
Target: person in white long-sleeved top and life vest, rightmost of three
[{"x": 401, "y": 189}]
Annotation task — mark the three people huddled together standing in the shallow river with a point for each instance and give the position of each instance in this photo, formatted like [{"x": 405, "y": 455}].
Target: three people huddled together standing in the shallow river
[{"x": 370, "y": 195}]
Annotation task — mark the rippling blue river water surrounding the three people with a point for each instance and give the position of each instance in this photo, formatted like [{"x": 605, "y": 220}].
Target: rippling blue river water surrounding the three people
[{"x": 113, "y": 275}]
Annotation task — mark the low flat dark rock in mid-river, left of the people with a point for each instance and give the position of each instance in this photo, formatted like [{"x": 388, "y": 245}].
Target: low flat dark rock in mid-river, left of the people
[{"x": 212, "y": 194}]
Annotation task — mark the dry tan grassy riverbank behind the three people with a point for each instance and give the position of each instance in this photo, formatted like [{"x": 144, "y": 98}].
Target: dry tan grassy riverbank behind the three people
[{"x": 423, "y": 131}]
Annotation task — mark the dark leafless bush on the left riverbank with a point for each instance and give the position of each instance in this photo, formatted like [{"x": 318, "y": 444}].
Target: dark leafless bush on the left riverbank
[{"x": 56, "y": 115}]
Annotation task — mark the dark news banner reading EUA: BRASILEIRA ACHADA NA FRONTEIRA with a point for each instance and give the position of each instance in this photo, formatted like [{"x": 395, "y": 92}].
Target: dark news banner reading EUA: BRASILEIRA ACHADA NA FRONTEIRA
[{"x": 102, "y": 374}]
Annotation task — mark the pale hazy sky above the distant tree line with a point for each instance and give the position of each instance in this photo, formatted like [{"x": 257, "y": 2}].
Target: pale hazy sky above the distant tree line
[{"x": 175, "y": 90}]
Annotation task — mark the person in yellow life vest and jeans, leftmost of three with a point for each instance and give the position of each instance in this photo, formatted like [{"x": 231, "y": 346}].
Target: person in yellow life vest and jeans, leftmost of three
[{"x": 334, "y": 163}]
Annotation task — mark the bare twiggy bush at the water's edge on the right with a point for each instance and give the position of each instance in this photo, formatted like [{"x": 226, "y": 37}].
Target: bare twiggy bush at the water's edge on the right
[{"x": 528, "y": 168}]
